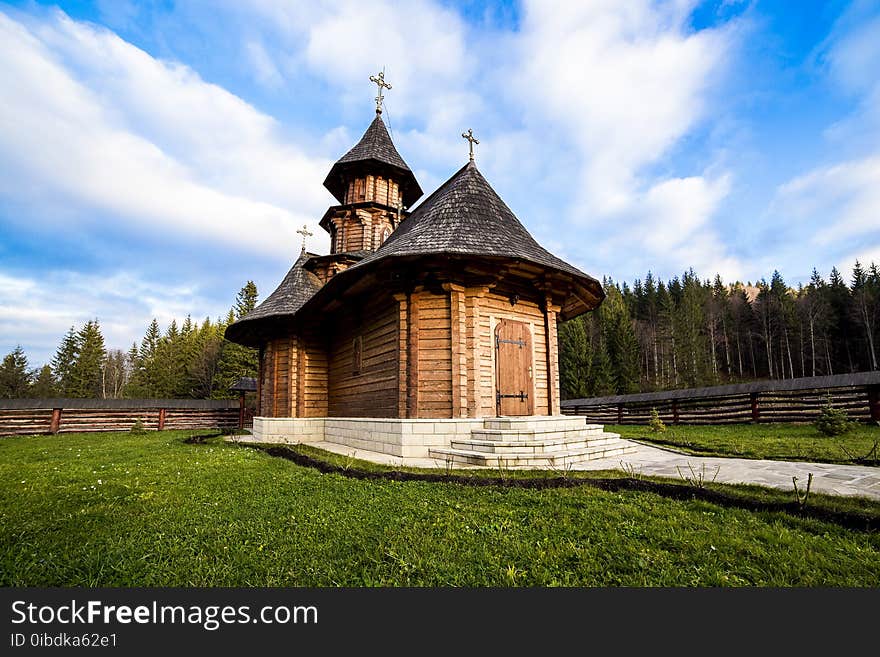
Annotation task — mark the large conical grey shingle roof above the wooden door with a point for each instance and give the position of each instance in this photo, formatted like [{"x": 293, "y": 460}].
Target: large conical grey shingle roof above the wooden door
[{"x": 466, "y": 216}]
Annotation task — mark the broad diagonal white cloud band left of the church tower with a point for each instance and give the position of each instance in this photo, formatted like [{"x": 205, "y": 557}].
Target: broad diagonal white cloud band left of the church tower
[{"x": 90, "y": 119}]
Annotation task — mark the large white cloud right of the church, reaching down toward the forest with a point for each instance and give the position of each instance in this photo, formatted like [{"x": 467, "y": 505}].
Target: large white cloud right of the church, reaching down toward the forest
[{"x": 609, "y": 89}]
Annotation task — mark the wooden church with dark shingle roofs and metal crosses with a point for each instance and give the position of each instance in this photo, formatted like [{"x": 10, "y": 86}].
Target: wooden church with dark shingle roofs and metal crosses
[{"x": 446, "y": 311}]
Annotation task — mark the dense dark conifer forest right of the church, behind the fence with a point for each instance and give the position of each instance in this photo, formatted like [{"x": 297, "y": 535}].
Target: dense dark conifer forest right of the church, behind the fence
[{"x": 689, "y": 332}]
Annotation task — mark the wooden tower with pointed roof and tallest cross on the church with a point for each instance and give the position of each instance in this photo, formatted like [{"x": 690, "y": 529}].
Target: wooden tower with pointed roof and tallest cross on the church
[{"x": 373, "y": 185}]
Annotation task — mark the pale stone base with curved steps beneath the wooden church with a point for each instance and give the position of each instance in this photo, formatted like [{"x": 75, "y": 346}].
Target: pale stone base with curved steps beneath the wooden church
[{"x": 509, "y": 442}]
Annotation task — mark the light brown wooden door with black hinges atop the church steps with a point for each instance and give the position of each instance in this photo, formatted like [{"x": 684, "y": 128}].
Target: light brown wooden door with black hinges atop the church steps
[{"x": 513, "y": 368}]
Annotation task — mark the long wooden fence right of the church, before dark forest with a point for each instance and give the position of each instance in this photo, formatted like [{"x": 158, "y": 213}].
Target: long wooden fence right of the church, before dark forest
[{"x": 792, "y": 400}]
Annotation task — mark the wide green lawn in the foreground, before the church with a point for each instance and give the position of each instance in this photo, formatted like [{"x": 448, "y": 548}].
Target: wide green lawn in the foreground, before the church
[{"x": 151, "y": 510}]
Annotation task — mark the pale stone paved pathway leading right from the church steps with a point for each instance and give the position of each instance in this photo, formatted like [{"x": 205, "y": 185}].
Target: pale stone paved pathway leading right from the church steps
[{"x": 647, "y": 460}]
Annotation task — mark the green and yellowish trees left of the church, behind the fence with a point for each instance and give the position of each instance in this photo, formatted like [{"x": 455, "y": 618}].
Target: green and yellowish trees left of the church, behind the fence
[{"x": 191, "y": 360}]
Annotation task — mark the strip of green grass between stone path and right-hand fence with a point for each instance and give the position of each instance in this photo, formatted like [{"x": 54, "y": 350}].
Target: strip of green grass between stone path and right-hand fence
[{"x": 782, "y": 442}]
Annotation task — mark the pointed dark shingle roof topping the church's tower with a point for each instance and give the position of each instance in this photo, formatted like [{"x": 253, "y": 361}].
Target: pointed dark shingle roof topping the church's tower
[{"x": 375, "y": 146}]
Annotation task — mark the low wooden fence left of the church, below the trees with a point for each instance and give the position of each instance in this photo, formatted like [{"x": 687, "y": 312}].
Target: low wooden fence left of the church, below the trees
[{"x": 29, "y": 416}]
